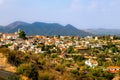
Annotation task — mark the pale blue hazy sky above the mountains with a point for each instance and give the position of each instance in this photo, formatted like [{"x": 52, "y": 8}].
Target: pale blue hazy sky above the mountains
[{"x": 80, "y": 13}]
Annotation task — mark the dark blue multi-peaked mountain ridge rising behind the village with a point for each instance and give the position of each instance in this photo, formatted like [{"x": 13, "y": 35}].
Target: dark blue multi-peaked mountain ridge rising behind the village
[{"x": 40, "y": 28}]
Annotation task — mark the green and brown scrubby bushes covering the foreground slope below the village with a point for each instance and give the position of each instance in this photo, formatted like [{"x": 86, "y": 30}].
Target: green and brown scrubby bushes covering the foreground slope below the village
[{"x": 50, "y": 67}]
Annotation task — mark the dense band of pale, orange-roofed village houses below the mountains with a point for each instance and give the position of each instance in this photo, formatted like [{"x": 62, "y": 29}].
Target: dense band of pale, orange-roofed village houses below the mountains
[{"x": 31, "y": 44}]
